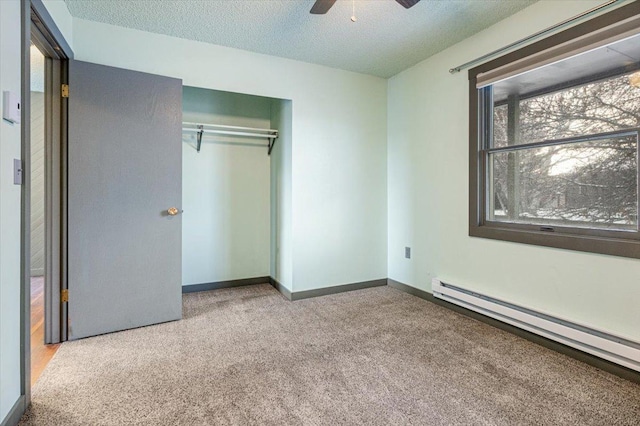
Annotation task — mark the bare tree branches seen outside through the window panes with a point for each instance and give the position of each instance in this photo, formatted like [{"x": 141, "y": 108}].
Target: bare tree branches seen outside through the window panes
[{"x": 587, "y": 173}]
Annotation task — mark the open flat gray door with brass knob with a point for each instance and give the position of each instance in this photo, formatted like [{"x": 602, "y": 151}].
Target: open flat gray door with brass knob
[{"x": 125, "y": 173}]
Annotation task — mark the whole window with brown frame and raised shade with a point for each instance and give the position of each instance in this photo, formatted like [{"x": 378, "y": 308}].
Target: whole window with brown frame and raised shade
[{"x": 554, "y": 137}]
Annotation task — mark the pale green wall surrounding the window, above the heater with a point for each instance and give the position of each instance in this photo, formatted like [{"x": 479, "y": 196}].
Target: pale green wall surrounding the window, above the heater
[{"x": 428, "y": 199}]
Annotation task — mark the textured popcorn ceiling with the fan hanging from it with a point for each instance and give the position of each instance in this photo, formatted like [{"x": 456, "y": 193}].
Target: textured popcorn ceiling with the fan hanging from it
[{"x": 385, "y": 40}]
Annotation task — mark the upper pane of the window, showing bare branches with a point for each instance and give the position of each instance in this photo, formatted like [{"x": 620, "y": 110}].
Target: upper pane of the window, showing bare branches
[{"x": 598, "y": 107}]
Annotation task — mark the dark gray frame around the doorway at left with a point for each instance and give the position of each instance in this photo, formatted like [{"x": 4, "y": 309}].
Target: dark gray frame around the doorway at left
[{"x": 38, "y": 26}]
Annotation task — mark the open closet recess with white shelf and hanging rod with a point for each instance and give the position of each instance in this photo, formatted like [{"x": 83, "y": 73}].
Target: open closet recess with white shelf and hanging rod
[{"x": 236, "y": 188}]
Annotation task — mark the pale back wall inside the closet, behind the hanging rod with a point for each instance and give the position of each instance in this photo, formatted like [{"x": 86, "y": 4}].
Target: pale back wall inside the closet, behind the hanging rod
[{"x": 225, "y": 190}]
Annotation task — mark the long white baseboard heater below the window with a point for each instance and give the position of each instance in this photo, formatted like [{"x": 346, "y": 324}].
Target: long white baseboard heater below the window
[{"x": 613, "y": 348}]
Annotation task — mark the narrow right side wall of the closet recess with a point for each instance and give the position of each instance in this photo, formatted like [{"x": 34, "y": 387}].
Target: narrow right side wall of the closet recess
[{"x": 281, "y": 223}]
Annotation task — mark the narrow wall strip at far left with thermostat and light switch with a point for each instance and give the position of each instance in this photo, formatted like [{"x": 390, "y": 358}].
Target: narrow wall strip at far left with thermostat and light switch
[{"x": 10, "y": 147}]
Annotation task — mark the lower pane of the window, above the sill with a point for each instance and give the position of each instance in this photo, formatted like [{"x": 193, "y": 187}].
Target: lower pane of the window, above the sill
[{"x": 584, "y": 184}]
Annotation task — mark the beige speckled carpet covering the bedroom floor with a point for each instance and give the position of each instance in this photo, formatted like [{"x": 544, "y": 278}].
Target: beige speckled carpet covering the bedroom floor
[{"x": 377, "y": 357}]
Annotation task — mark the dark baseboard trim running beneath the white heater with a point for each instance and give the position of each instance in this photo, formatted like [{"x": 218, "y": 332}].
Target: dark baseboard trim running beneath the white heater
[{"x": 602, "y": 364}]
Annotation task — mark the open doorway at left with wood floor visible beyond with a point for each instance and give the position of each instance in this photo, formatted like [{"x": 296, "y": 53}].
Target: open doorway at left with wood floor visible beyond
[{"x": 43, "y": 195}]
